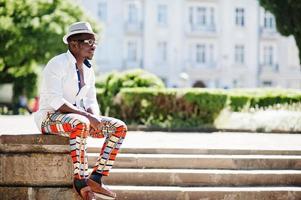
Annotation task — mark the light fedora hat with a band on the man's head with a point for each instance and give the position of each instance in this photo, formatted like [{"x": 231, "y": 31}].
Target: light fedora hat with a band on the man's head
[{"x": 78, "y": 27}]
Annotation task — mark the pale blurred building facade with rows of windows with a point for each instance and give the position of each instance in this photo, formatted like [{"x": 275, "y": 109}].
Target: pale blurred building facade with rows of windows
[{"x": 222, "y": 43}]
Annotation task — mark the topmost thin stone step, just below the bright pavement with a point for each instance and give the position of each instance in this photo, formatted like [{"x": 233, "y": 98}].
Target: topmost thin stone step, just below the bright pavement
[{"x": 163, "y": 150}]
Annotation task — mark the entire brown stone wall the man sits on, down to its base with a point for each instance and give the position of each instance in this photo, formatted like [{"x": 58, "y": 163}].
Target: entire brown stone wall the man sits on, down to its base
[{"x": 35, "y": 167}]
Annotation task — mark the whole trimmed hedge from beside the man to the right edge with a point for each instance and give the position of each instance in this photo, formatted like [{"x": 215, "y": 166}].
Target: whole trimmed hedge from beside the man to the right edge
[{"x": 187, "y": 108}]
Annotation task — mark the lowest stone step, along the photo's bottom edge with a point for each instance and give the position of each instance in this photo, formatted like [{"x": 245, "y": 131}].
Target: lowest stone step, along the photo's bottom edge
[{"x": 206, "y": 193}]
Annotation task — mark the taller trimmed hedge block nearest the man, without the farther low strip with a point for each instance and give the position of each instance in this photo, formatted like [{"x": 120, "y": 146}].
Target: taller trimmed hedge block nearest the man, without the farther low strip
[{"x": 169, "y": 107}]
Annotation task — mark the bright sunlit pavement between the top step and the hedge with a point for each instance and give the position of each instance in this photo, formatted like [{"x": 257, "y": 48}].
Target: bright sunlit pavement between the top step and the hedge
[{"x": 139, "y": 139}]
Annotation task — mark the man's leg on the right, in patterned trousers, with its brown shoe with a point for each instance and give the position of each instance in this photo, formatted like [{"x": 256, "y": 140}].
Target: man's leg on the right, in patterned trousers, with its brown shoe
[{"x": 114, "y": 131}]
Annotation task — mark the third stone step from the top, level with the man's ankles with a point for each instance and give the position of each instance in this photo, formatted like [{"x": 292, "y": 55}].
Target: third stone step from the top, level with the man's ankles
[{"x": 197, "y": 177}]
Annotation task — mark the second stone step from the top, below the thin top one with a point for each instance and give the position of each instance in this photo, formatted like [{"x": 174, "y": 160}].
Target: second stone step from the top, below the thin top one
[{"x": 194, "y": 161}]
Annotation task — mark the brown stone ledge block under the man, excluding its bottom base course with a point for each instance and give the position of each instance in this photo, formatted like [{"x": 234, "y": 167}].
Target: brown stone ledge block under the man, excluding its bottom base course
[{"x": 35, "y": 161}]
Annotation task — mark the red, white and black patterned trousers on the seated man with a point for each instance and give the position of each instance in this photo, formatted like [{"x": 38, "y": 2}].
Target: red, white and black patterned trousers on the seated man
[{"x": 77, "y": 128}]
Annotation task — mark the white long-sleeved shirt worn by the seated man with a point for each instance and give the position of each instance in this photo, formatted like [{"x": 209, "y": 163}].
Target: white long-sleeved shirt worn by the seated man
[{"x": 60, "y": 86}]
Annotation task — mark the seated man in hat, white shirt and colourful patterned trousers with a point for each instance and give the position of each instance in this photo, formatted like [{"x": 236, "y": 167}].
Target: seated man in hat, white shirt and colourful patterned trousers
[{"x": 68, "y": 107}]
